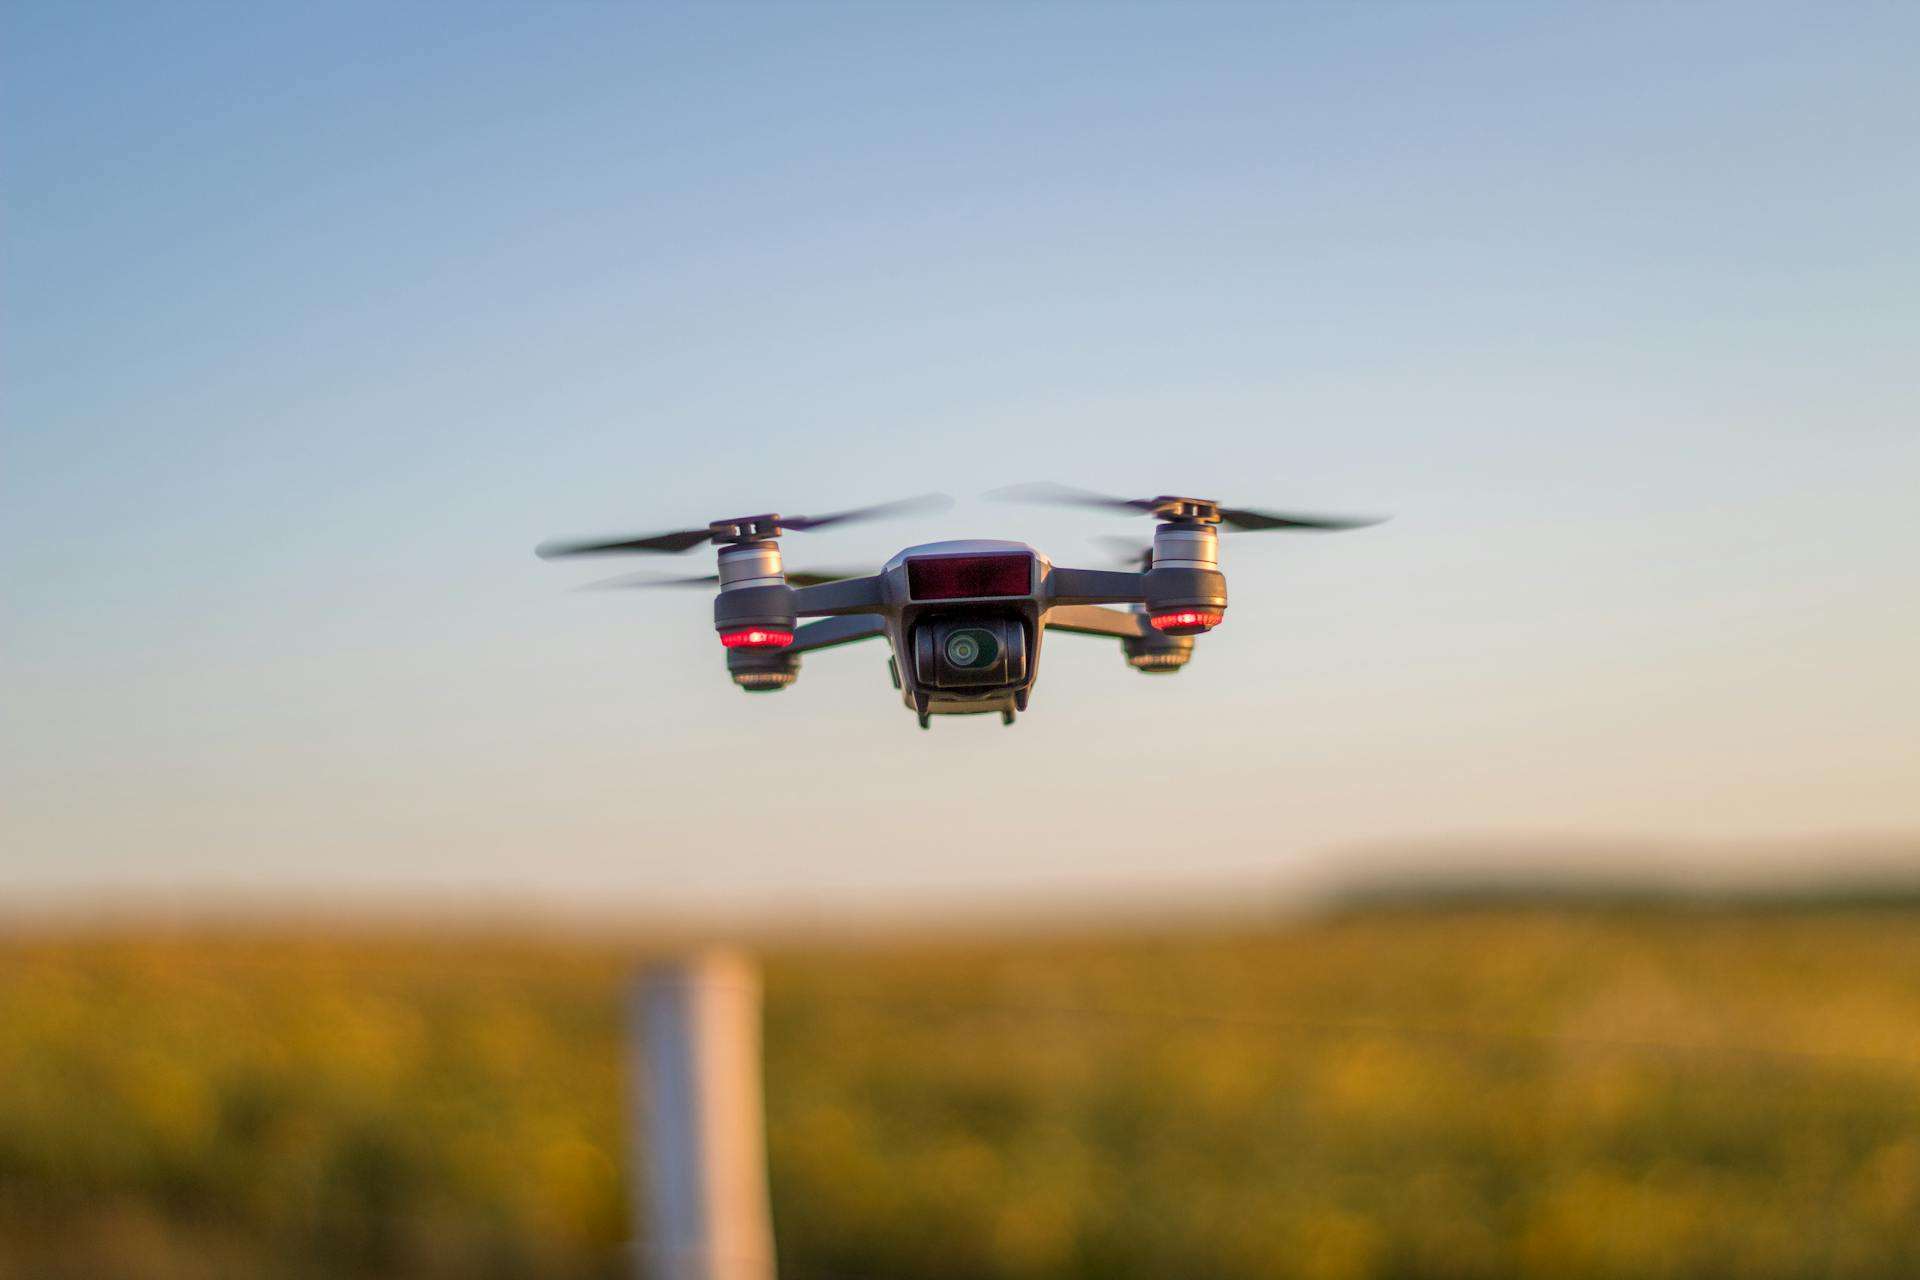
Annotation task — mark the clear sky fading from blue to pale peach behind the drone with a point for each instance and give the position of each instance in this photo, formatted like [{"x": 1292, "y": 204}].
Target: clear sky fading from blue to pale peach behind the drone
[{"x": 316, "y": 320}]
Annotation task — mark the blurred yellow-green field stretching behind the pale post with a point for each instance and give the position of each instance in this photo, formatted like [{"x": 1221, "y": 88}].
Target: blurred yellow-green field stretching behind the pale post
[{"x": 1385, "y": 1093}]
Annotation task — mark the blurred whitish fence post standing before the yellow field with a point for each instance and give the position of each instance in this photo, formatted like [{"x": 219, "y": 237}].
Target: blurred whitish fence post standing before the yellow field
[{"x": 698, "y": 1116}]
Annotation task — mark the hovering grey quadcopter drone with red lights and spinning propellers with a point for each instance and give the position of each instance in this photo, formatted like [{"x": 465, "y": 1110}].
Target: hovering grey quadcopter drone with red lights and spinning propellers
[{"x": 965, "y": 619}]
